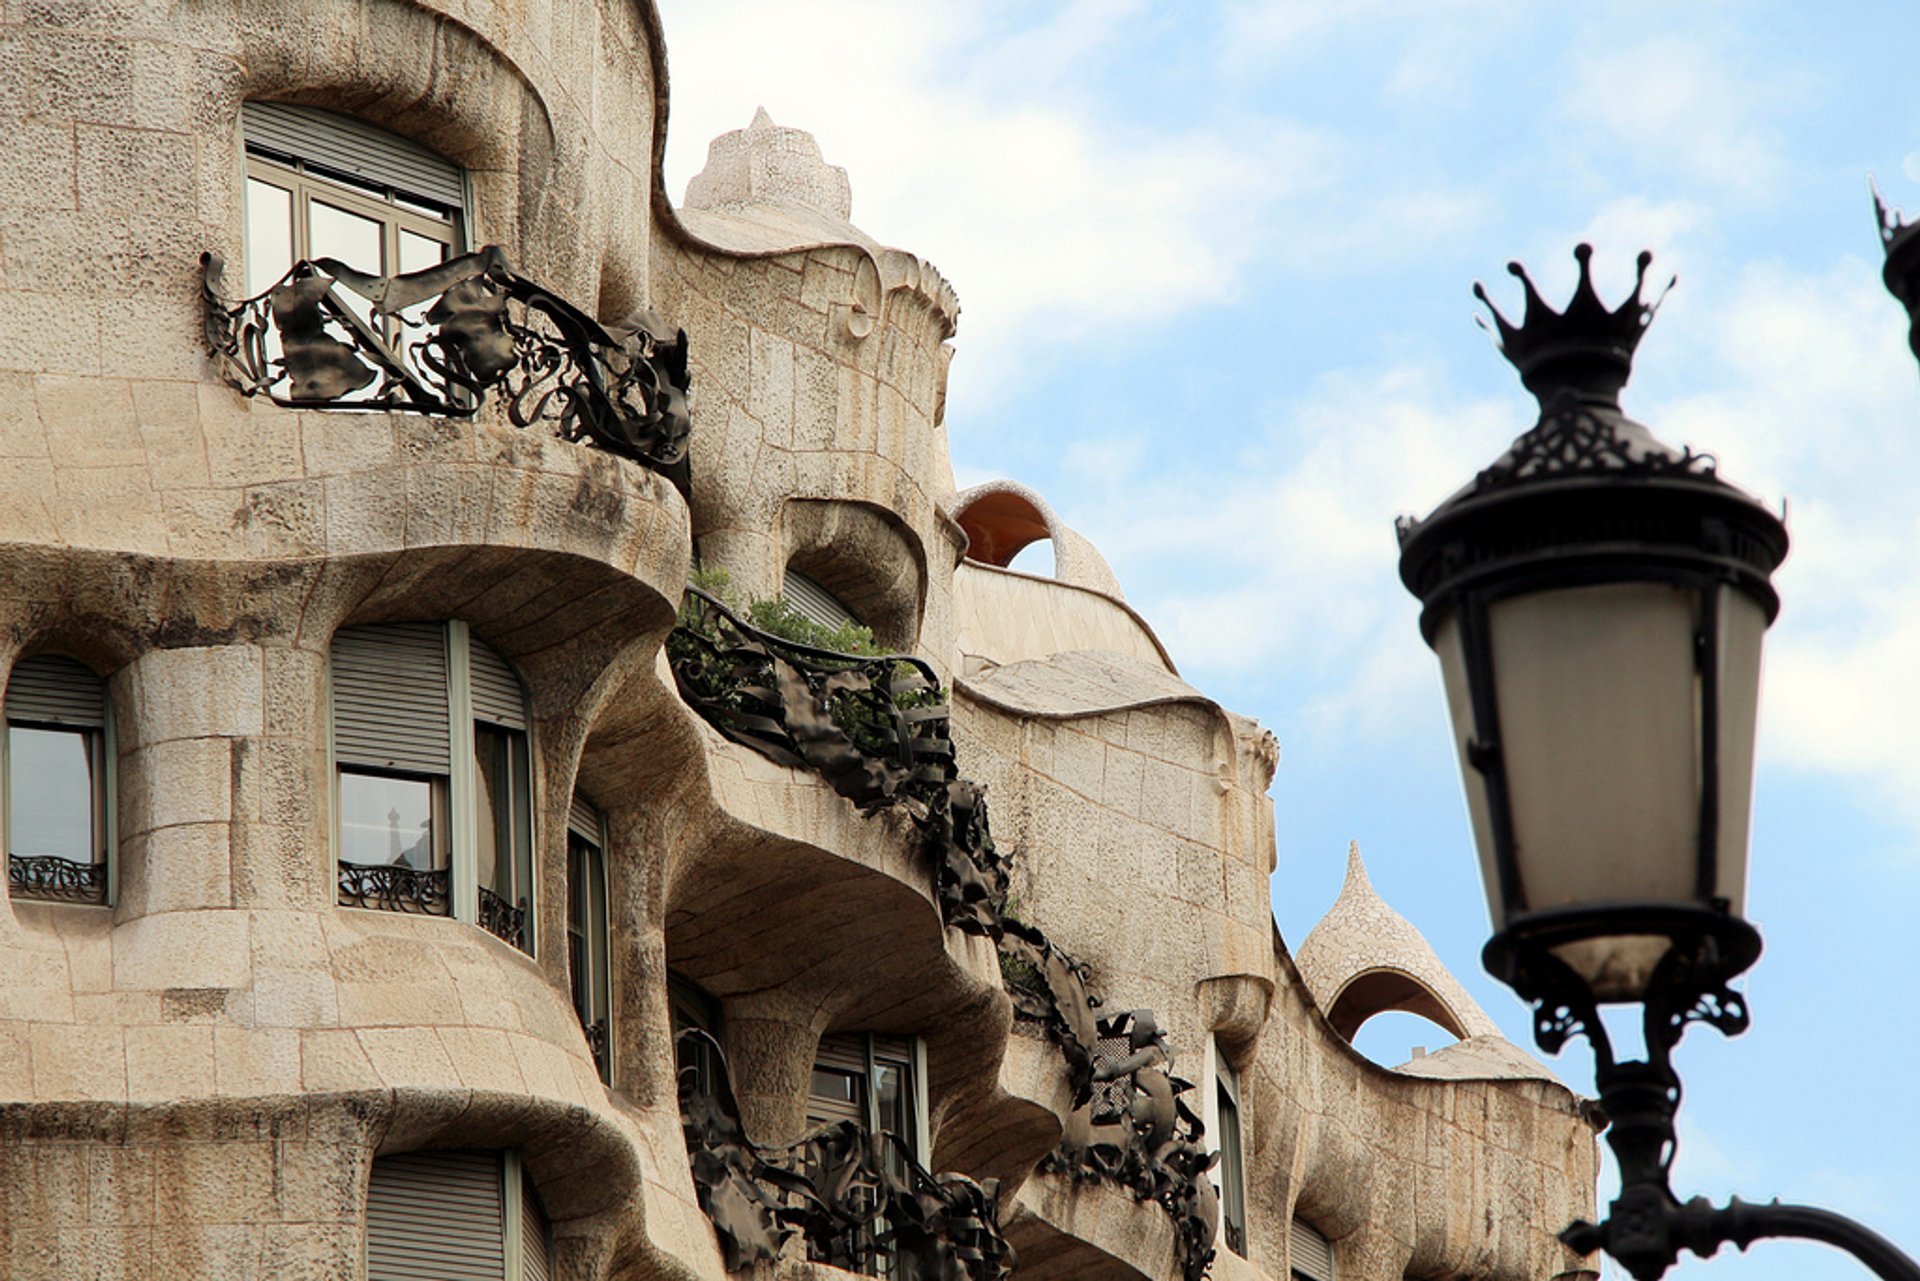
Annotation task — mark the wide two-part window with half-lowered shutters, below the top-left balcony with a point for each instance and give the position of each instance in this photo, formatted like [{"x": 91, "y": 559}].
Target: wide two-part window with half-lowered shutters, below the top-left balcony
[{"x": 435, "y": 806}]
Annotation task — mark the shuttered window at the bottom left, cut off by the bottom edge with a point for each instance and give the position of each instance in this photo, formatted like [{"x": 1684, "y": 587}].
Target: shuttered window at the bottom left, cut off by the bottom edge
[{"x": 456, "y": 1215}]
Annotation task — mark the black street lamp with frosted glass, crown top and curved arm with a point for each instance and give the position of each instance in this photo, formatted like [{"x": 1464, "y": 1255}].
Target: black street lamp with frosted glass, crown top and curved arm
[{"x": 1598, "y": 604}]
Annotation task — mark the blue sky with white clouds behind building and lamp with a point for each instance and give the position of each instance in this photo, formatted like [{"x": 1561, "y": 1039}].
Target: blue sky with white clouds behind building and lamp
[{"x": 1216, "y": 264}]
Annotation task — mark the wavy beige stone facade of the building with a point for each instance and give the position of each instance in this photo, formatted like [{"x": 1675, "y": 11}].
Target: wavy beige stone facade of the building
[{"x": 201, "y": 1075}]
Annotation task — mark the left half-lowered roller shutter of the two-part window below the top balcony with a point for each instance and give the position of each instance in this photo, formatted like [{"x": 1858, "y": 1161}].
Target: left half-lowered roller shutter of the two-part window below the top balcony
[{"x": 391, "y": 698}]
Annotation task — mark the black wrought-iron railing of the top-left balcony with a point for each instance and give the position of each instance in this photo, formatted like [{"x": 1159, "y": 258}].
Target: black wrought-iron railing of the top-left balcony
[{"x": 441, "y": 341}]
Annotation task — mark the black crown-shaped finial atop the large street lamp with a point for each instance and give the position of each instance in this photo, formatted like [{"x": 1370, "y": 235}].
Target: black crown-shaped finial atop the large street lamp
[{"x": 1585, "y": 350}]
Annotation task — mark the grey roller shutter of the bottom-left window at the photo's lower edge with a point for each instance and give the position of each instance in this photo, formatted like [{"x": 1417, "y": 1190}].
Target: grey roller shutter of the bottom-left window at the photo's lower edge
[{"x": 435, "y": 1217}]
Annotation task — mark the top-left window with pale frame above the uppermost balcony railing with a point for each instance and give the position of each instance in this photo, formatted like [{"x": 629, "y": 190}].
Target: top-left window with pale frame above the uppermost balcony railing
[{"x": 324, "y": 185}]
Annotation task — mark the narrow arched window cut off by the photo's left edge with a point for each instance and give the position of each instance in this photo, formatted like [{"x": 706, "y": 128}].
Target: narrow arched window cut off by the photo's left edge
[{"x": 57, "y": 783}]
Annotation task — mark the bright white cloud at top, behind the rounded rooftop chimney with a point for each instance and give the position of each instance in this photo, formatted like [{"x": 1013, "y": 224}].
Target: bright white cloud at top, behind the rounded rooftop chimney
[{"x": 986, "y": 158}]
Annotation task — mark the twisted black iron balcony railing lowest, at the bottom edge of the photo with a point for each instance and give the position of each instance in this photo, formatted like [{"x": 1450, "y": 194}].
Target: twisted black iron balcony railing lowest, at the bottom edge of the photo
[{"x": 855, "y": 1199}]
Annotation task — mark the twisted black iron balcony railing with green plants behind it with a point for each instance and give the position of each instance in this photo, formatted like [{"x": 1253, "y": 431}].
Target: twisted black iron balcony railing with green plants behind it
[{"x": 873, "y": 725}]
